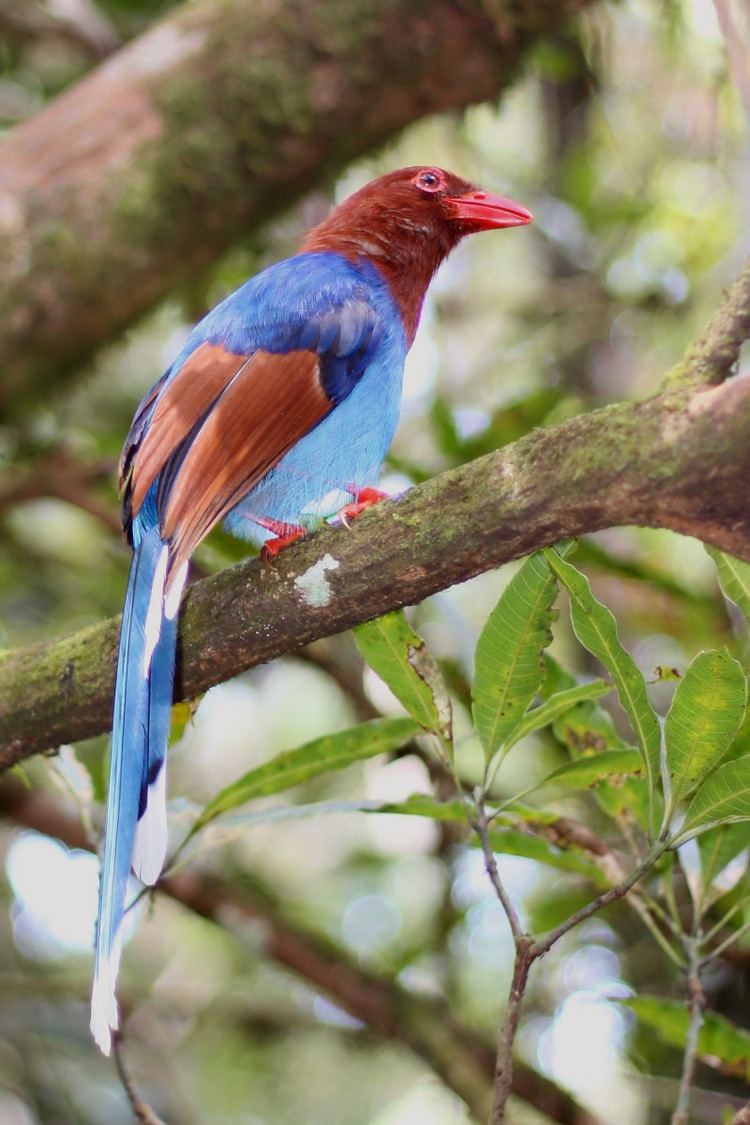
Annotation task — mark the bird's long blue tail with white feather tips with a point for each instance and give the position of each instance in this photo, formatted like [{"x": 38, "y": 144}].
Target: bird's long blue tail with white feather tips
[{"x": 137, "y": 802}]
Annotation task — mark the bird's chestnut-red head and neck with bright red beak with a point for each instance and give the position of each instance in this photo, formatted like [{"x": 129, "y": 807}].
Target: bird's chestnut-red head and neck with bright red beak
[{"x": 408, "y": 222}]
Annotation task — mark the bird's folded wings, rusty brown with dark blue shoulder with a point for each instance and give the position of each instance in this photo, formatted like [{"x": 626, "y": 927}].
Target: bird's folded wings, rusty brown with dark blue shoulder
[{"x": 213, "y": 429}]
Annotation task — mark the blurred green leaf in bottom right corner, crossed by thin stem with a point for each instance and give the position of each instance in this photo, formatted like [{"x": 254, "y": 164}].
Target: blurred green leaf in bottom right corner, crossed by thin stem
[{"x": 721, "y": 1045}]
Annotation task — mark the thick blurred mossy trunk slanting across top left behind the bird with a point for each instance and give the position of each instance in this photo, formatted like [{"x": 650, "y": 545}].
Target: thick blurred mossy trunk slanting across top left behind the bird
[{"x": 215, "y": 120}]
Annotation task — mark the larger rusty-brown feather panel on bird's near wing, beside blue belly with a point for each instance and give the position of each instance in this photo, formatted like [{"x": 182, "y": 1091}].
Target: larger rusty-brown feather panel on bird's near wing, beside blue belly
[{"x": 269, "y": 407}]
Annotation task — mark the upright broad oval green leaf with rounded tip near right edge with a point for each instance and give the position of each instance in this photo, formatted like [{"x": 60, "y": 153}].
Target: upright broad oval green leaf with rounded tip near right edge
[{"x": 706, "y": 715}]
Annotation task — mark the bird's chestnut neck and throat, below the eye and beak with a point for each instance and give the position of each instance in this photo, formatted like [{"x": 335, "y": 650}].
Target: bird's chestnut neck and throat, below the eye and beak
[{"x": 405, "y": 255}]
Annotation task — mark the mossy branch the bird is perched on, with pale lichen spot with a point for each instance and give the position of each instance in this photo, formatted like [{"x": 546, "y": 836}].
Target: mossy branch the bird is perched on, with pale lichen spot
[{"x": 679, "y": 461}]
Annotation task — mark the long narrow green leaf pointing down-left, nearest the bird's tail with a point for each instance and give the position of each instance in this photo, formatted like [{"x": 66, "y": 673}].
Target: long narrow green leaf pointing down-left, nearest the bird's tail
[{"x": 322, "y": 755}]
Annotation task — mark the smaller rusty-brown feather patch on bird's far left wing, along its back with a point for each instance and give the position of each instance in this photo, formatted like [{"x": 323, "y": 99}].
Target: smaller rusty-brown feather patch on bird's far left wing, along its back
[{"x": 200, "y": 382}]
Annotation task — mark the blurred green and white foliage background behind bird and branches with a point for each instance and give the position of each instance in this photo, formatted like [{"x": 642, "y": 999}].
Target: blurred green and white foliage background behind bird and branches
[{"x": 627, "y": 139}]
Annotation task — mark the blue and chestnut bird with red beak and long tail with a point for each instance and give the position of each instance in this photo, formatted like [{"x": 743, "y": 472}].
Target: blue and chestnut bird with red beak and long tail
[{"x": 277, "y": 413}]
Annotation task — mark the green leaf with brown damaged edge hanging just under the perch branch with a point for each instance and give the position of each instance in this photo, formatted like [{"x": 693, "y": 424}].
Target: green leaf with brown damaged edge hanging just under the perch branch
[{"x": 401, "y": 659}]
